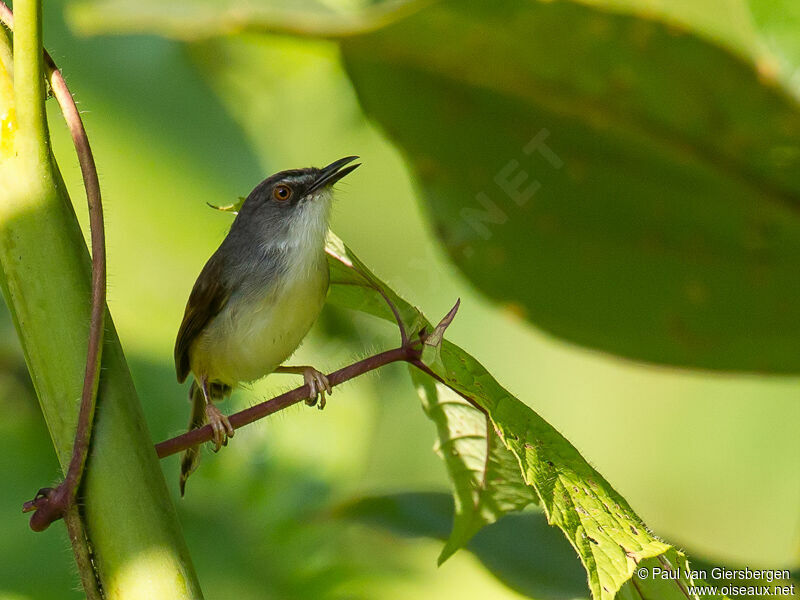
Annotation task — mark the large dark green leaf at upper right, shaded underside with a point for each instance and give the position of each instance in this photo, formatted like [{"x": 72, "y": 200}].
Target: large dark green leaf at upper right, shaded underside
[{"x": 584, "y": 168}]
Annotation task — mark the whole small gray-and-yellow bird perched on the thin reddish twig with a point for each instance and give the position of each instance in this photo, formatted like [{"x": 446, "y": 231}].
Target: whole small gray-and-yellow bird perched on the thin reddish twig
[{"x": 257, "y": 296}]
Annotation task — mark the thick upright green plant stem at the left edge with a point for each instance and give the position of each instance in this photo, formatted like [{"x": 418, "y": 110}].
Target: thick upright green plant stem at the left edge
[{"x": 138, "y": 550}]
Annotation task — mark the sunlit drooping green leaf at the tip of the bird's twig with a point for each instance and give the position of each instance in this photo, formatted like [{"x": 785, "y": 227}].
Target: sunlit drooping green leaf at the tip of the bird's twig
[{"x": 609, "y": 537}]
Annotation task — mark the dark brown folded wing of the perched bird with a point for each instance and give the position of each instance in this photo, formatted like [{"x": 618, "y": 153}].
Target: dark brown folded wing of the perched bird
[{"x": 208, "y": 297}]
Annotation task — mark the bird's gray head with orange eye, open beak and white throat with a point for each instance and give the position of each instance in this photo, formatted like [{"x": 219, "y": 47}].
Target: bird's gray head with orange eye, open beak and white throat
[{"x": 291, "y": 206}]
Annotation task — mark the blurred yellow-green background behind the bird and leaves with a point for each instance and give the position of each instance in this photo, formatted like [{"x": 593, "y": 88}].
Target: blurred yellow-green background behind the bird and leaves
[{"x": 710, "y": 461}]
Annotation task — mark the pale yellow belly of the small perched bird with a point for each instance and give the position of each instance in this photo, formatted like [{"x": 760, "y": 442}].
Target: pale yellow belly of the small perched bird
[{"x": 250, "y": 339}]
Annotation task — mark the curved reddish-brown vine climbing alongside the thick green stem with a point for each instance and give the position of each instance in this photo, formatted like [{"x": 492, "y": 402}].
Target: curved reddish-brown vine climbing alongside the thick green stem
[{"x": 50, "y": 505}]
